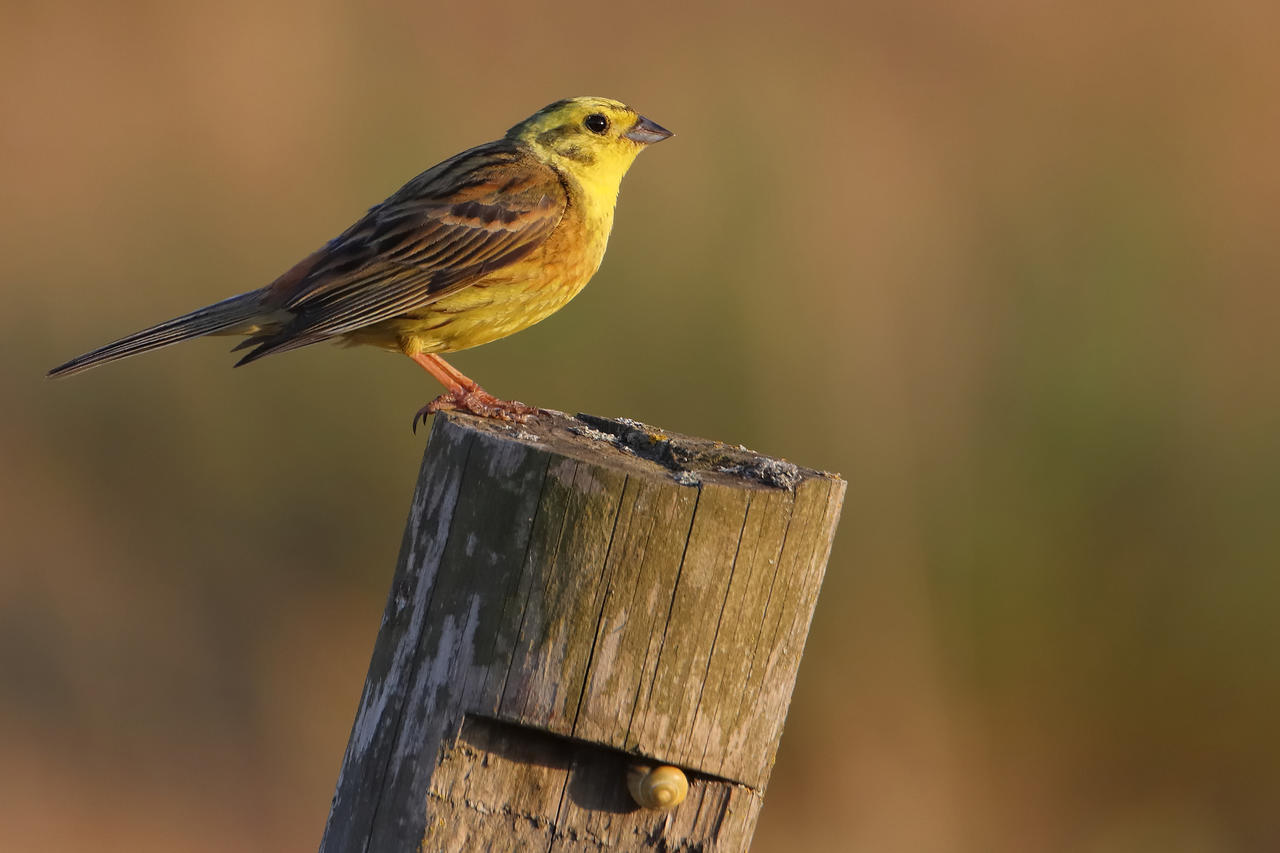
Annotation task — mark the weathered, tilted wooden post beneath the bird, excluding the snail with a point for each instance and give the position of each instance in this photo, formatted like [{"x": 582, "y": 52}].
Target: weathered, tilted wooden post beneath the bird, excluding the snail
[{"x": 575, "y": 596}]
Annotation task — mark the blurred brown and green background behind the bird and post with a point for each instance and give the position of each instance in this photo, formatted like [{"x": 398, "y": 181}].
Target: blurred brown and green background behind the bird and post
[{"x": 1008, "y": 267}]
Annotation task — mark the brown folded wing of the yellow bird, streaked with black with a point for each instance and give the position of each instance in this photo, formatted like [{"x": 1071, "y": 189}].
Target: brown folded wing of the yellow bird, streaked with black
[{"x": 473, "y": 215}]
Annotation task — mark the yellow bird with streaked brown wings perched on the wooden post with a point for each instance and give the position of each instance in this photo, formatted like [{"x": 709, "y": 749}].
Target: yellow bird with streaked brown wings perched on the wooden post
[{"x": 477, "y": 248}]
